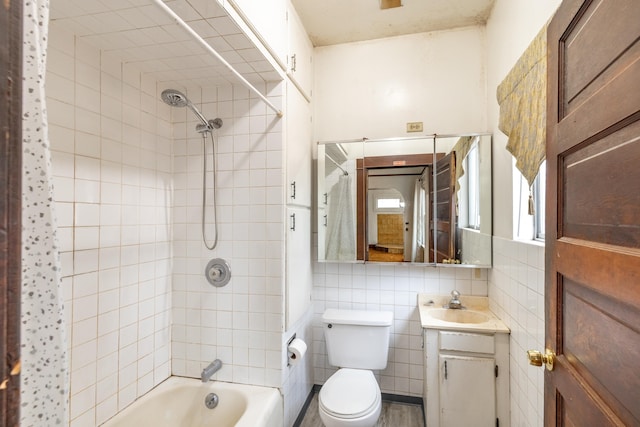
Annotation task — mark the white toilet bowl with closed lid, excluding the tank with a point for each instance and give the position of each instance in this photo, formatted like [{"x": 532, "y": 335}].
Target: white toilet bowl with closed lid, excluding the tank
[{"x": 350, "y": 398}]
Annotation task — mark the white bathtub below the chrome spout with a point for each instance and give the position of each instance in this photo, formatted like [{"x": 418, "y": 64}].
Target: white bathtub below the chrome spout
[{"x": 180, "y": 402}]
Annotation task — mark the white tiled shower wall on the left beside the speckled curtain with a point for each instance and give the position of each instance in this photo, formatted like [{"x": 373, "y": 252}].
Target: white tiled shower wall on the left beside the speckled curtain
[{"x": 111, "y": 155}]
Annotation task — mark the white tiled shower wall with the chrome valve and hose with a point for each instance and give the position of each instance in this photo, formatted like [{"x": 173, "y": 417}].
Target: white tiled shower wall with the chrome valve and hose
[{"x": 241, "y": 323}]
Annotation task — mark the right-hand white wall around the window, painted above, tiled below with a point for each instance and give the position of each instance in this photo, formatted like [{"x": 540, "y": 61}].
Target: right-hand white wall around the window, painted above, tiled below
[{"x": 516, "y": 283}]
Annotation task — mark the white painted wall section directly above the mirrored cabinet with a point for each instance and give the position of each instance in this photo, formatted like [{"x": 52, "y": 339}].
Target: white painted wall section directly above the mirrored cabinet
[{"x": 374, "y": 88}]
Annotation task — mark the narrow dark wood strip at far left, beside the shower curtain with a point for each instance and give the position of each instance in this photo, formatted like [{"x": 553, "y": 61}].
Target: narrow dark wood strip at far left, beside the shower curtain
[{"x": 10, "y": 209}]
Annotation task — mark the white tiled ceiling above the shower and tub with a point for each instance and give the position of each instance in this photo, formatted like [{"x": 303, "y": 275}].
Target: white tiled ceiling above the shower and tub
[{"x": 146, "y": 37}]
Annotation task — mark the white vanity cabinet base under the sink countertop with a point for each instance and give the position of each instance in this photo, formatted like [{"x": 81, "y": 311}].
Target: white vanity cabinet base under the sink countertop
[{"x": 466, "y": 378}]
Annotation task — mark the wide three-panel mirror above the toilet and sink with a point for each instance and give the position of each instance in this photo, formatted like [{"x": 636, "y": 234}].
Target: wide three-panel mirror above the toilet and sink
[{"x": 423, "y": 199}]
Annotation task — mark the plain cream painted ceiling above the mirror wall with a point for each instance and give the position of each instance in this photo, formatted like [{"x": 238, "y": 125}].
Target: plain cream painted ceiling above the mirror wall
[{"x": 331, "y": 22}]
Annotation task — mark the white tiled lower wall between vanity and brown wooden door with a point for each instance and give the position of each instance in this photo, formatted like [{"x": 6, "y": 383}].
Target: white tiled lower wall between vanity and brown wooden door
[{"x": 516, "y": 291}]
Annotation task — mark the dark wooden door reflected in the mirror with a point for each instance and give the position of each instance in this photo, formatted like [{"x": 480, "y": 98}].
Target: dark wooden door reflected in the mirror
[{"x": 445, "y": 220}]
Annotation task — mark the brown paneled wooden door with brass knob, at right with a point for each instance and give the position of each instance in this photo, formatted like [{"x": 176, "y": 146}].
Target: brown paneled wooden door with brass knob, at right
[{"x": 593, "y": 214}]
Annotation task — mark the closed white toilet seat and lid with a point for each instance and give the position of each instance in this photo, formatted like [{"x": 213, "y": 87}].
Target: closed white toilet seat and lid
[{"x": 350, "y": 393}]
